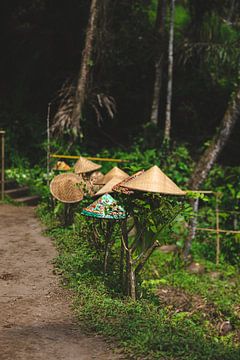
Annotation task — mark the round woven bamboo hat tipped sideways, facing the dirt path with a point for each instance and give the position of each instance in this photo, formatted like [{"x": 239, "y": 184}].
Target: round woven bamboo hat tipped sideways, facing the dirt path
[{"x": 67, "y": 188}]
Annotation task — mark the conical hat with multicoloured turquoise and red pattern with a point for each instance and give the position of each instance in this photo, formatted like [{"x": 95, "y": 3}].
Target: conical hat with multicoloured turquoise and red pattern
[{"x": 106, "y": 207}]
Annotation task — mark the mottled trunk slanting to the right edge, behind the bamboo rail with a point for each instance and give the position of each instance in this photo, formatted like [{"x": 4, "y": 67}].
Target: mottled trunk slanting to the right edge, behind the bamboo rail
[{"x": 210, "y": 156}]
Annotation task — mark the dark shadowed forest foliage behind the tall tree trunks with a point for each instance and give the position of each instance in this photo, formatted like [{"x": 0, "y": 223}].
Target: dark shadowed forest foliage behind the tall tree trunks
[{"x": 43, "y": 41}]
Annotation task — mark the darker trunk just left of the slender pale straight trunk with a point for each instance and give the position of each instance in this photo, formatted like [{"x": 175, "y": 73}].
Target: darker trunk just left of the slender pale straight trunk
[{"x": 160, "y": 31}]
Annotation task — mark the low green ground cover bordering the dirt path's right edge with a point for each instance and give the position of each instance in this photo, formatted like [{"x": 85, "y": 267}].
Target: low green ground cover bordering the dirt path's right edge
[{"x": 146, "y": 328}]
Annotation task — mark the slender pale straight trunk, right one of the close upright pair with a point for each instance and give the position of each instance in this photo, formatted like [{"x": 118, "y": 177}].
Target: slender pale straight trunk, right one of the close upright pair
[{"x": 170, "y": 74}]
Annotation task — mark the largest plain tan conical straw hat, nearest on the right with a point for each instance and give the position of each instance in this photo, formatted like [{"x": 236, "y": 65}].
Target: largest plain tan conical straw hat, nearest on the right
[{"x": 154, "y": 180}]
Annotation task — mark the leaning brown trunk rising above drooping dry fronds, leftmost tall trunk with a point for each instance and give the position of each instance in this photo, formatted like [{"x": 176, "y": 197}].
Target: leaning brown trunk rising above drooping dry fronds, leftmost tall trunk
[{"x": 83, "y": 79}]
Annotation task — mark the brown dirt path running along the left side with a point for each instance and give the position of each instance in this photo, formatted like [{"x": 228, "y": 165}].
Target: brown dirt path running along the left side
[{"x": 35, "y": 319}]
